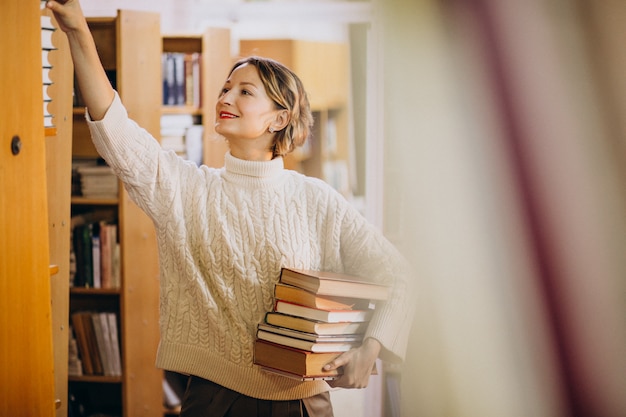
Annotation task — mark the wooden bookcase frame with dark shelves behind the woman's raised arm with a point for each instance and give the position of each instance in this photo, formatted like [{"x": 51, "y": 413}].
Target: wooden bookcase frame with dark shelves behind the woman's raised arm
[{"x": 129, "y": 46}]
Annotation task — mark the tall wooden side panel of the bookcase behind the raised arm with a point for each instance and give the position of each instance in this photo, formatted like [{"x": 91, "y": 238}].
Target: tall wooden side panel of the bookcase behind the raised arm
[{"x": 139, "y": 84}]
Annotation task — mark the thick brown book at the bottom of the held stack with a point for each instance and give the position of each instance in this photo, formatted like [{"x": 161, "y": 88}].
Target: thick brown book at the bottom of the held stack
[{"x": 295, "y": 361}]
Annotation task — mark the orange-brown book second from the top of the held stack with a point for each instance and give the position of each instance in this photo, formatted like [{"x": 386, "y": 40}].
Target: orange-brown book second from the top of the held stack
[{"x": 307, "y": 298}]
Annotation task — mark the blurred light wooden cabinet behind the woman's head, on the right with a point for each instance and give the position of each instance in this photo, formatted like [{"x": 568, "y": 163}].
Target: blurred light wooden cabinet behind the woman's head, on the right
[{"x": 324, "y": 68}]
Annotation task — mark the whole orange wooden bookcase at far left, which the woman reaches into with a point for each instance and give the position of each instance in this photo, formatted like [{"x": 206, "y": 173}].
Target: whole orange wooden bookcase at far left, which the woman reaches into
[{"x": 34, "y": 214}]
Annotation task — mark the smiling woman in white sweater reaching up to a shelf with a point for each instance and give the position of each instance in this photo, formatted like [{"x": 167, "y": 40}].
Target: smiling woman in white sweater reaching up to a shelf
[{"x": 224, "y": 234}]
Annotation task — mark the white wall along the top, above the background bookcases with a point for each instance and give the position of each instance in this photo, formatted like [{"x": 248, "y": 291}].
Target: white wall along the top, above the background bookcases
[{"x": 322, "y": 21}]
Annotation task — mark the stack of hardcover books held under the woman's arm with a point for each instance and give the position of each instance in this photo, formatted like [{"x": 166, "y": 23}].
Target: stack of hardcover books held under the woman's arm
[{"x": 316, "y": 317}]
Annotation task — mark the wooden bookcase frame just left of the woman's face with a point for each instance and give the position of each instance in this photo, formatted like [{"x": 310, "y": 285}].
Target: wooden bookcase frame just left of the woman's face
[{"x": 213, "y": 47}]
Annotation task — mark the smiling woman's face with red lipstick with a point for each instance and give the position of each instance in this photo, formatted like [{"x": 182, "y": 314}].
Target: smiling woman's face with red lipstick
[{"x": 243, "y": 110}]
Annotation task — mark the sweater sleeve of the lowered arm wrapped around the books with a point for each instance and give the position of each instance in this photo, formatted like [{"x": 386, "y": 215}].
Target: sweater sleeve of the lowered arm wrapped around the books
[{"x": 366, "y": 252}]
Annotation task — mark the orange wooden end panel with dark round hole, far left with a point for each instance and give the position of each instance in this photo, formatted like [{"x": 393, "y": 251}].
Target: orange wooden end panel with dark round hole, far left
[{"x": 26, "y": 358}]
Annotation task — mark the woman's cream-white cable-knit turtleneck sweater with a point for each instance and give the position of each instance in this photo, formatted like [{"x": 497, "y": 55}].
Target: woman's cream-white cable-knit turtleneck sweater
[{"x": 223, "y": 236}]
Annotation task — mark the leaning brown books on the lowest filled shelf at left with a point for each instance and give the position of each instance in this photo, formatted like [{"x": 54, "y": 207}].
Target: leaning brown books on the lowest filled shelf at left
[{"x": 97, "y": 342}]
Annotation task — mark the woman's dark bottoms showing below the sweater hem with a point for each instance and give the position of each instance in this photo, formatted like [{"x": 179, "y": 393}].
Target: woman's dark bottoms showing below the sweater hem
[{"x": 204, "y": 398}]
